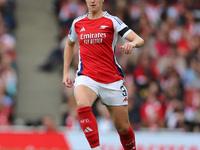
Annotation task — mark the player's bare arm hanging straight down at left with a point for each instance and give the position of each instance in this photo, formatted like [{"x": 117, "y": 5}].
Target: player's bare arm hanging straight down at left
[{"x": 68, "y": 54}]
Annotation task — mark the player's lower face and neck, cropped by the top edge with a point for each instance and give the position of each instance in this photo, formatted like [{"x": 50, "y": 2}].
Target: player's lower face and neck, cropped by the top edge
[{"x": 94, "y": 5}]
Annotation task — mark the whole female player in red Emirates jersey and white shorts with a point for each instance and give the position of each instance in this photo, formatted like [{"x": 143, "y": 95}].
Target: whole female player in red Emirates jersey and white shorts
[{"x": 99, "y": 74}]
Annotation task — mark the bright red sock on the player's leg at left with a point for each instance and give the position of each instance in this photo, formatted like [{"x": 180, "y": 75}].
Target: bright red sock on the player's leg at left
[{"x": 89, "y": 125}]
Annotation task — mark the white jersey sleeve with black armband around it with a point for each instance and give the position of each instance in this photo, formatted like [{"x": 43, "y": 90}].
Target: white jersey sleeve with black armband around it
[{"x": 121, "y": 27}]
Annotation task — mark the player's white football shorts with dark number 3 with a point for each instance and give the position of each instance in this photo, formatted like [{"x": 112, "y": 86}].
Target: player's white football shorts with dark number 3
[{"x": 112, "y": 94}]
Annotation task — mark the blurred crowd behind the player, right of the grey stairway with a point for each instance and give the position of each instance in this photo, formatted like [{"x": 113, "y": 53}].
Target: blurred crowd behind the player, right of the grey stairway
[{"x": 162, "y": 77}]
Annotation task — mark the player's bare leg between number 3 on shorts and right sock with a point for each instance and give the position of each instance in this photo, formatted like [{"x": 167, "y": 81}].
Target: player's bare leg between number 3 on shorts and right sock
[{"x": 119, "y": 115}]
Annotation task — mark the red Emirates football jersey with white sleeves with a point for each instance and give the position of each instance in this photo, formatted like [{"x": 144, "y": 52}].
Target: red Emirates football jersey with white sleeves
[{"x": 97, "y": 41}]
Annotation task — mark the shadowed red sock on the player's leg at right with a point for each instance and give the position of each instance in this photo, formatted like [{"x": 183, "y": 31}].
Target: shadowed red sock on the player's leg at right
[{"x": 128, "y": 139}]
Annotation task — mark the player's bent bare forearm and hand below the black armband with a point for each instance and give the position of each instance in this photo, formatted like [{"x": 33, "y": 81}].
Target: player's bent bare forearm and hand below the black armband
[{"x": 135, "y": 41}]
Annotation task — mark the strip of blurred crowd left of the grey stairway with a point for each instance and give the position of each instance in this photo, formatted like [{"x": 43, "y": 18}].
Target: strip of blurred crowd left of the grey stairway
[{"x": 8, "y": 65}]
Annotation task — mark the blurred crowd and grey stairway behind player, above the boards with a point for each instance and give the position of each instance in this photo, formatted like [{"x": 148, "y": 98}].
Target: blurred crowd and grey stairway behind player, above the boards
[{"x": 162, "y": 77}]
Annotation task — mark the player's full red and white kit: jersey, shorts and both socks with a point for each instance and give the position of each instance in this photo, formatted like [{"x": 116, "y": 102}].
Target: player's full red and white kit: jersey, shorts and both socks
[{"x": 99, "y": 70}]
